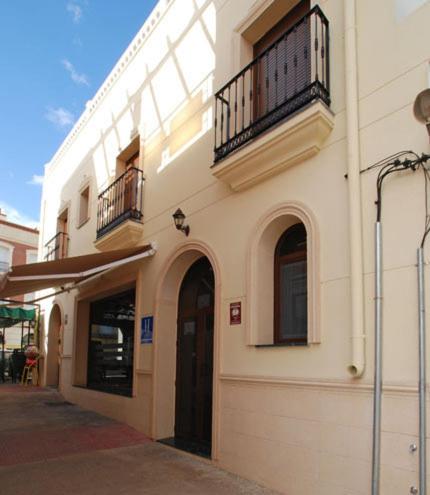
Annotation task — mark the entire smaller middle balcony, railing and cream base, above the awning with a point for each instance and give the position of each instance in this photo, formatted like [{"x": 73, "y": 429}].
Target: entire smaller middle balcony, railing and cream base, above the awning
[{"x": 119, "y": 212}]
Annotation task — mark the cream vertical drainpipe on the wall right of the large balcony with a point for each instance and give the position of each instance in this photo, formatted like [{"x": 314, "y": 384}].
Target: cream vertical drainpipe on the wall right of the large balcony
[{"x": 357, "y": 365}]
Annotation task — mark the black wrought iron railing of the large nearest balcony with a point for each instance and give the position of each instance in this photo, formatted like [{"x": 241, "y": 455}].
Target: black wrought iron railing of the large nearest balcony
[{"x": 287, "y": 76}]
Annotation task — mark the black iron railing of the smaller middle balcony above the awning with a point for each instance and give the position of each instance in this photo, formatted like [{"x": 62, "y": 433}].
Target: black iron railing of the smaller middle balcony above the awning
[{"x": 121, "y": 201}]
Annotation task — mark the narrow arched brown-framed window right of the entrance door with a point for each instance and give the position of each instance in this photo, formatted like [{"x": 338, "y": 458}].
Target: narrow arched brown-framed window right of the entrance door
[{"x": 291, "y": 288}]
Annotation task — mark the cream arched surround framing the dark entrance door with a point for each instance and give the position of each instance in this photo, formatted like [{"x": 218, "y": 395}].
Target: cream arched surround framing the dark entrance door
[{"x": 192, "y": 251}]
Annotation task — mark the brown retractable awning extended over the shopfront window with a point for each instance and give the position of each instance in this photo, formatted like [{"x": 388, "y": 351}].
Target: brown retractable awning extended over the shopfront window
[{"x": 22, "y": 279}]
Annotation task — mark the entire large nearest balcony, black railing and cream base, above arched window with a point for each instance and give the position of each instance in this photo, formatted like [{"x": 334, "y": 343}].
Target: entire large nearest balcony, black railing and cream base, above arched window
[{"x": 285, "y": 90}]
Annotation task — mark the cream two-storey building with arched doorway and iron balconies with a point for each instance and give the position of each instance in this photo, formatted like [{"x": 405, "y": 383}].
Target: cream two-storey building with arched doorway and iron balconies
[{"x": 262, "y": 348}]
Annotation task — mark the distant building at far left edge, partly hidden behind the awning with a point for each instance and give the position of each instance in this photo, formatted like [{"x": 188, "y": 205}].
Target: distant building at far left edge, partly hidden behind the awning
[{"x": 18, "y": 246}]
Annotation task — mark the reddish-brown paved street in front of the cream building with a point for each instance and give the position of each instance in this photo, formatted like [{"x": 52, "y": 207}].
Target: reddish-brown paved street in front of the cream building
[{"x": 49, "y": 446}]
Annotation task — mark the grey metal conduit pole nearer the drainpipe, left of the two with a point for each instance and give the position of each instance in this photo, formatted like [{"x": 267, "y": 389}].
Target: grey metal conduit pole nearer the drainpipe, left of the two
[{"x": 377, "y": 390}]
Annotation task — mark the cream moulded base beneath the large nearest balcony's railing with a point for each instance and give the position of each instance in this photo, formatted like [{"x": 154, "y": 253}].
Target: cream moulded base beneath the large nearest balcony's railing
[{"x": 296, "y": 140}]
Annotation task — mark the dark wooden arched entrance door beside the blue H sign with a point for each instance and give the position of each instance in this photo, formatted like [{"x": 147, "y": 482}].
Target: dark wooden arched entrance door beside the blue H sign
[{"x": 194, "y": 365}]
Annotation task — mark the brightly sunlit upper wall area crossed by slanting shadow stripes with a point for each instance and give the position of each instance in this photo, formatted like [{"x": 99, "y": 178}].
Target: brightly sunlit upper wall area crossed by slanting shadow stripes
[{"x": 163, "y": 97}]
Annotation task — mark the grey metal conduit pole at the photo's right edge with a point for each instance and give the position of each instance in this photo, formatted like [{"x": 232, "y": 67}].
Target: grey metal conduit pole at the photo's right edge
[{"x": 422, "y": 372}]
